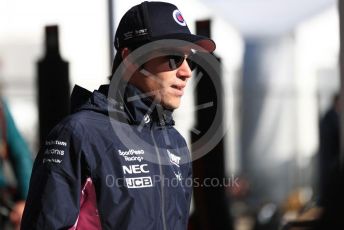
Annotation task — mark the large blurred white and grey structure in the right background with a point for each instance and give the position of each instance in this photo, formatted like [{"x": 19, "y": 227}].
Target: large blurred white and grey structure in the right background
[{"x": 289, "y": 81}]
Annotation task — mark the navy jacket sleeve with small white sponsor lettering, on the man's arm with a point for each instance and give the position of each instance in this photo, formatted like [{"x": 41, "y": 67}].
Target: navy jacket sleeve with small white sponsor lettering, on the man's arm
[{"x": 55, "y": 185}]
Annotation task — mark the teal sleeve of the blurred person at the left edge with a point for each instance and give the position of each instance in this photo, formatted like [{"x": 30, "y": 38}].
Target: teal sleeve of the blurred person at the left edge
[{"x": 19, "y": 154}]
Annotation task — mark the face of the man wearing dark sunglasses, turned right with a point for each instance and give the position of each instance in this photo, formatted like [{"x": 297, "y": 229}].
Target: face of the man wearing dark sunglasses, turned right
[{"x": 164, "y": 78}]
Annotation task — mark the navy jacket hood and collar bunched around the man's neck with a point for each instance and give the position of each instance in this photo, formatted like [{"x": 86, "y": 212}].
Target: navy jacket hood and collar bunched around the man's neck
[{"x": 128, "y": 106}]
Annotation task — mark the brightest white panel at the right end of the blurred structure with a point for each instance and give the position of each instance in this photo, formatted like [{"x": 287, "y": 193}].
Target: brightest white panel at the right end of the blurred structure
[{"x": 316, "y": 74}]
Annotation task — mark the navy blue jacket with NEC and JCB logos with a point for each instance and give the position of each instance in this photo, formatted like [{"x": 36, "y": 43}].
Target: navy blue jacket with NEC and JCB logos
[{"x": 138, "y": 163}]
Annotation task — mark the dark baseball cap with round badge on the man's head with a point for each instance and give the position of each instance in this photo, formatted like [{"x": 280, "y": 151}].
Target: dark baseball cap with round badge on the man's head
[{"x": 152, "y": 21}]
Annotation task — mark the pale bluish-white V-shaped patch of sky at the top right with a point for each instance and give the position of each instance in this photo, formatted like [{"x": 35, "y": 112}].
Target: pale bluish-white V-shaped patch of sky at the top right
[{"x": 257, "y": 18}]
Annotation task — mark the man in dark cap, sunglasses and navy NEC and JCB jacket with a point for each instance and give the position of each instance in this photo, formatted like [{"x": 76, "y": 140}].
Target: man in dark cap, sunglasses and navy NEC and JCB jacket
[{"x": 117, "y": 162}]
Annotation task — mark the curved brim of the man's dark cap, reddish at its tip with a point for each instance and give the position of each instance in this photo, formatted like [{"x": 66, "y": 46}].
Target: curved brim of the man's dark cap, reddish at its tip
[{"x": 205, "y": 43}]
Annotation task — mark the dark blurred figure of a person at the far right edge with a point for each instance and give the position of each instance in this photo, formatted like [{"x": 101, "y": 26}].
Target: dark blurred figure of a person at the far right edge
[{"x": 330, "y": 171}]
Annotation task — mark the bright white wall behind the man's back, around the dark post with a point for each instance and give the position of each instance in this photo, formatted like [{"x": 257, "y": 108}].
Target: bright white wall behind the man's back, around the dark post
[{"x": 83, "y": 31}]
